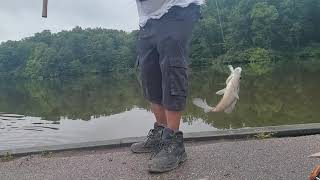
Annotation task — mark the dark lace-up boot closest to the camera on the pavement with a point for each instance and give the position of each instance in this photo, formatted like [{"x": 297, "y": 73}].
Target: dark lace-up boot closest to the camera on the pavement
[{"x": 171, "y": 152}]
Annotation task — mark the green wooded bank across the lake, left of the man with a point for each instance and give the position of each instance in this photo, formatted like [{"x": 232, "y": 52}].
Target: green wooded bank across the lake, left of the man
[{"x": 75, "y": 52}]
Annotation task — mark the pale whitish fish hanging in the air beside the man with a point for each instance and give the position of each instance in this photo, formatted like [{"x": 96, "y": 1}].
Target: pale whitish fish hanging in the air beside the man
[{"x": 230, "y": 94}]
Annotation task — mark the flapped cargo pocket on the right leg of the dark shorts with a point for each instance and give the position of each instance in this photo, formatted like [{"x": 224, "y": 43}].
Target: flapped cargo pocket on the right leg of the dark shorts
[{"x": 178, "y": 77}]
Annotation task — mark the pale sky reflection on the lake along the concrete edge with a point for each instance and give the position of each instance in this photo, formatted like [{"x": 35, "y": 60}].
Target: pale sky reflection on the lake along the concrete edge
[{"x": 131, "y": 123}]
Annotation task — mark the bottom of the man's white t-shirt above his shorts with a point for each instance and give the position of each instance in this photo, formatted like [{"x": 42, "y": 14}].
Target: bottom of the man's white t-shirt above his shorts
[{"x": 155, "y": 9}]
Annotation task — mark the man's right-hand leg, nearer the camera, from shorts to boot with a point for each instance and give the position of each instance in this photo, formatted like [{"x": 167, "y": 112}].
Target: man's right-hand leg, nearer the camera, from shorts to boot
[{"x": 174, "y": 35}]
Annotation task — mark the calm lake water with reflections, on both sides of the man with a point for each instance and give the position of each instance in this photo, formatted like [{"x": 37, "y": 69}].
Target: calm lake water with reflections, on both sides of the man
[{"x": 91, "y": 108}]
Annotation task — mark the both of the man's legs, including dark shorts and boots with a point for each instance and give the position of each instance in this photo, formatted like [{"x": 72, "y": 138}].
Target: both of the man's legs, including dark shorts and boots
[{"x": 165, "y": 84}]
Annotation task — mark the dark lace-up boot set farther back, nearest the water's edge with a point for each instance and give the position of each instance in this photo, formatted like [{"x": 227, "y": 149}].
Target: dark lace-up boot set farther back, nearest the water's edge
[{"x": 152, "y": 142}]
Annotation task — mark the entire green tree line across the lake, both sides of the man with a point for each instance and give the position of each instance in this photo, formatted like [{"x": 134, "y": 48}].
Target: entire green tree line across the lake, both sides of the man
[{"x": 230, "y": 31}]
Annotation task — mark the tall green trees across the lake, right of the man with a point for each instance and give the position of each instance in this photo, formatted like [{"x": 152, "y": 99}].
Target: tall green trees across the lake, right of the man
[{"x": 276, "y": 26}]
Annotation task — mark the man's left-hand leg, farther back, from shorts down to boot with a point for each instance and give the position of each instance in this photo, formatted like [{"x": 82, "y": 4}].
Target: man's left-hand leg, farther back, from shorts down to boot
[{"x": 151, "y": 79}]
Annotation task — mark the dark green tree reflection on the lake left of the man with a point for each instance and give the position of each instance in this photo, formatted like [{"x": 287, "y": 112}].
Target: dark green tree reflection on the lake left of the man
[{"x": 82, "y": 98}]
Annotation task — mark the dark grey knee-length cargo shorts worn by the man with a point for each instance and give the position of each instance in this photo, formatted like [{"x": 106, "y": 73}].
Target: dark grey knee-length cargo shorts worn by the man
[{"x": 162, "y": 56}]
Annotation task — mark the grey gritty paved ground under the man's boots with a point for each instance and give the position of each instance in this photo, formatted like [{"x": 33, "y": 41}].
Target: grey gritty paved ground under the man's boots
[{"x": 283, "y": 158}]
